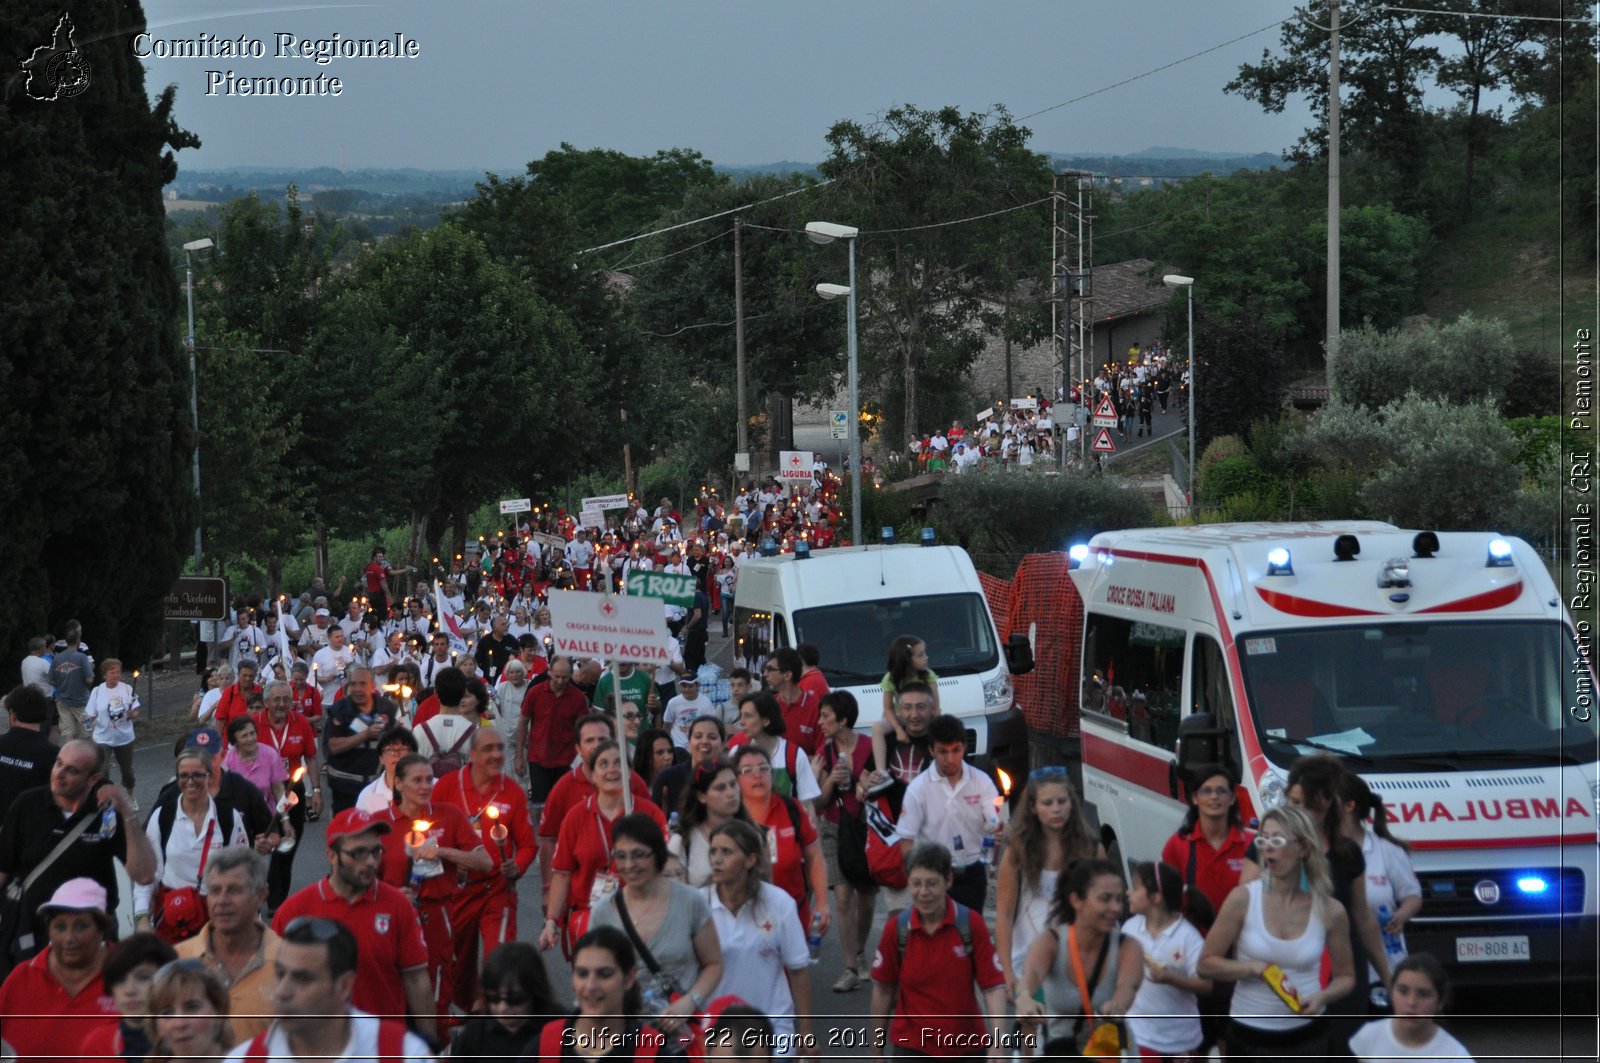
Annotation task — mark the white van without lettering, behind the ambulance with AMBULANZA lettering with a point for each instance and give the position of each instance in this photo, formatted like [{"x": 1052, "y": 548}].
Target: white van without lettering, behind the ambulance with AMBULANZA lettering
[{"x": 852, "y": 603}]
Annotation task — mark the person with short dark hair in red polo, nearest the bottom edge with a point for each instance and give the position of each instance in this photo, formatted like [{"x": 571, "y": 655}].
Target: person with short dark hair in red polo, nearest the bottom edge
[{"x": 929, "y": 990}]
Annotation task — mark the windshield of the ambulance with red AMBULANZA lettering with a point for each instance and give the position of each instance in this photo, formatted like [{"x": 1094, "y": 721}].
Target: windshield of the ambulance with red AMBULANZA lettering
[{"x": 1450, "y": 696}]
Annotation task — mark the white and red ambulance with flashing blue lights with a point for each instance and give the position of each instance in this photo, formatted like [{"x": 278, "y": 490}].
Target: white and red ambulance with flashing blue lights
[{"x": 1442, "y": 668}]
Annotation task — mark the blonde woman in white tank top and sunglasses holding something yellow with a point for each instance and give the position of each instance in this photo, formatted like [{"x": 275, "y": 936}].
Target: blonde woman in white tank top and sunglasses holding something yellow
[{"x": 1270, "y": 941}]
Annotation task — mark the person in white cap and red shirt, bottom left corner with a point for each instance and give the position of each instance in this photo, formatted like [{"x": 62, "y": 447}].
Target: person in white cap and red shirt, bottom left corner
[{"x": 36, "y": 1001}]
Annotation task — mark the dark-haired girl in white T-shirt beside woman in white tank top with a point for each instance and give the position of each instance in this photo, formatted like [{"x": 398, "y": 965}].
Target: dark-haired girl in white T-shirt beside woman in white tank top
[{"x": 1166, "y": 1016}]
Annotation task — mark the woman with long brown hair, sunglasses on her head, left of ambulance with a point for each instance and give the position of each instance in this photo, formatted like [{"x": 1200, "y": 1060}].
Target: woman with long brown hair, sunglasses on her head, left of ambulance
[{"x": 1046, "y": 840}]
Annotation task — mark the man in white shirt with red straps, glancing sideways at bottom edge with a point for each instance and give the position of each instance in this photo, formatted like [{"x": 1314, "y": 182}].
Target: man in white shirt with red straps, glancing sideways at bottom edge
[{"x": 316, "y": 979}]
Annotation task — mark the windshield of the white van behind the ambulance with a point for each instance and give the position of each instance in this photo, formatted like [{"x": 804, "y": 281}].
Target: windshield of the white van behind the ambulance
[{"x": 854, "y": 640}]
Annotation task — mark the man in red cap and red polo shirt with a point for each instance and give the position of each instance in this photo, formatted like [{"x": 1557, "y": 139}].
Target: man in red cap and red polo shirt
[{"x": 393, "y": 966}]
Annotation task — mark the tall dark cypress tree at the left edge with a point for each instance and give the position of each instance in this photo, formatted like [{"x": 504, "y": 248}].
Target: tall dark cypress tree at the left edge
[{"x": 94, "y": 396}]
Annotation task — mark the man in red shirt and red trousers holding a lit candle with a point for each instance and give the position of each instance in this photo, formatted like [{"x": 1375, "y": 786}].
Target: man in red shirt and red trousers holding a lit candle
[{"x": 484, "y": 910}]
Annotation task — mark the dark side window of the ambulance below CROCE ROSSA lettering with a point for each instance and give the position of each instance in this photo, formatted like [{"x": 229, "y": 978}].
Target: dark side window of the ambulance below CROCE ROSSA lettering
[{"x": 1134, "y": 673}]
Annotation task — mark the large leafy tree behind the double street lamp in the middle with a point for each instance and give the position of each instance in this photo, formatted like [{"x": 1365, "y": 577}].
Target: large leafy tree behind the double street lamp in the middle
[{"x": 924, "y": 284}]
